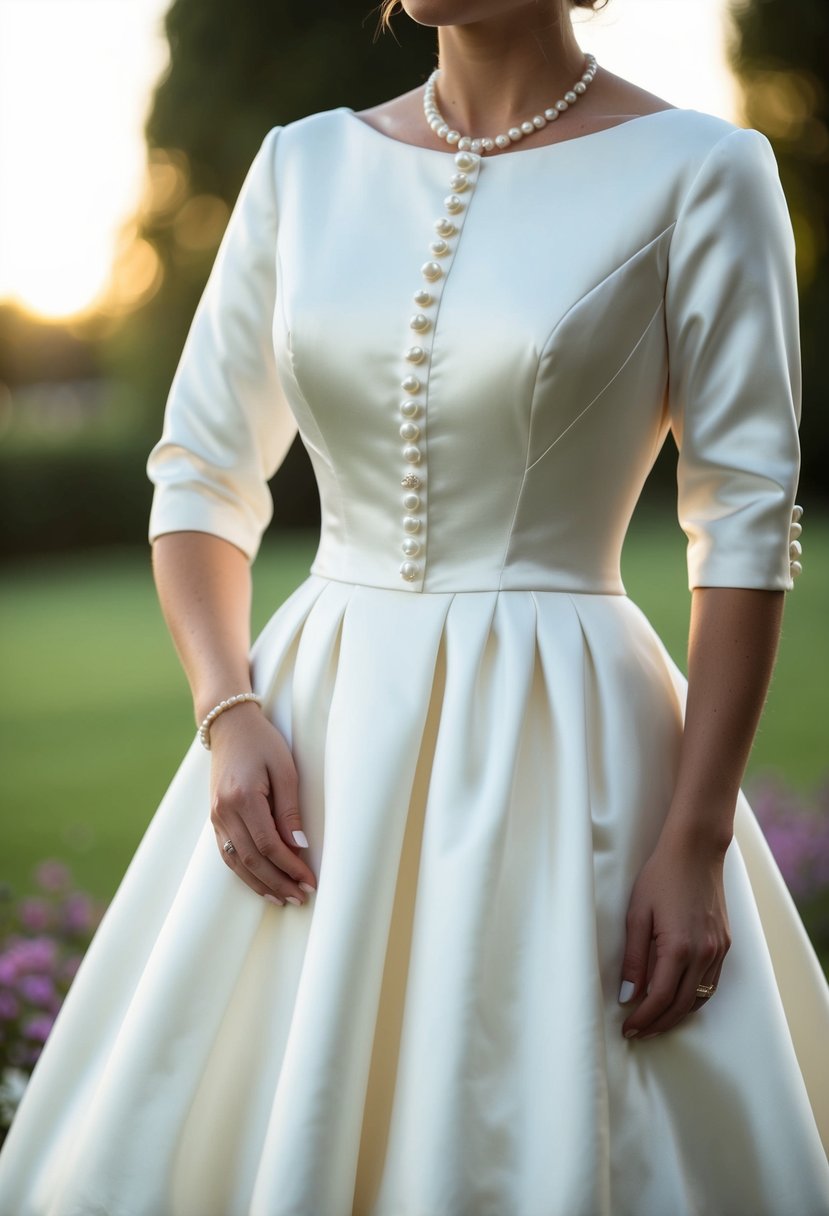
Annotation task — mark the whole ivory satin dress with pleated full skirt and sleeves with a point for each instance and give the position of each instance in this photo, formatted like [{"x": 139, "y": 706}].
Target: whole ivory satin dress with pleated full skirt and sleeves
[{"x": 486, "y": 728}]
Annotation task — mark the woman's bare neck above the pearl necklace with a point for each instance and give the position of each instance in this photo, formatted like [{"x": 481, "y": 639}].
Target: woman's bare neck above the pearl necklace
[{"x": 507, "y": 67}]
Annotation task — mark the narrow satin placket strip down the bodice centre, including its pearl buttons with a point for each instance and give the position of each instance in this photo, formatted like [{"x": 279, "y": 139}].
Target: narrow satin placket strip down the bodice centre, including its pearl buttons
[{"x": 413, "y": 408}]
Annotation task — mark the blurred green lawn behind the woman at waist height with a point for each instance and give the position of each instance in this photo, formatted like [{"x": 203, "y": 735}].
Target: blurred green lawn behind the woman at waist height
[{"x": 97, "y": 713}]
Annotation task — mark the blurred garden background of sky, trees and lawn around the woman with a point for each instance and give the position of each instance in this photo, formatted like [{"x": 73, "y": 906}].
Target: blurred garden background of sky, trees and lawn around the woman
[{"x": 126, "y": 131}]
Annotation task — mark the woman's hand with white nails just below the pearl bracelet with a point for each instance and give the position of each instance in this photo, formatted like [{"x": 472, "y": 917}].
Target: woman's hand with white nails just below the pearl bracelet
[{"x": 253, "y": 803}]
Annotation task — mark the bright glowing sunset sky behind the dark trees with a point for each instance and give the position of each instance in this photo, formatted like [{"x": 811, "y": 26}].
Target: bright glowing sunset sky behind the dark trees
[{"x": 76, "y": 81}]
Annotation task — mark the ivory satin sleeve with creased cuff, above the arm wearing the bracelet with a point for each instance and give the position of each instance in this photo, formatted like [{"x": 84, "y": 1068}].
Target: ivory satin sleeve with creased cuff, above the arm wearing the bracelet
[{"x": 228, "y": 426}]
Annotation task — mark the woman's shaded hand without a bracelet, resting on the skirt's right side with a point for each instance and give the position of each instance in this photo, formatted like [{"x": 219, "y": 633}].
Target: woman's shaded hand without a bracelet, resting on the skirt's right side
[{"x": 678, "y": 936}]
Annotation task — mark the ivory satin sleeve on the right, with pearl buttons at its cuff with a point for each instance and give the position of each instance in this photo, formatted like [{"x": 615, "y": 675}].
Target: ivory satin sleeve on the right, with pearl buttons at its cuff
[{"x": 735, "y": 368}]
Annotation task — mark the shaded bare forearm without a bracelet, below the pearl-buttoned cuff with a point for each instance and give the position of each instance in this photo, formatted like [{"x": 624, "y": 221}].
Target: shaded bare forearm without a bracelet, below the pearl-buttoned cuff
[{"x": 731, "y": 654}]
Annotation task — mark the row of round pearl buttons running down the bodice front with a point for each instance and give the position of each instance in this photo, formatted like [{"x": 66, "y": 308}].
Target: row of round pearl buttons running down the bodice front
[{"x": 418, "y": 357}]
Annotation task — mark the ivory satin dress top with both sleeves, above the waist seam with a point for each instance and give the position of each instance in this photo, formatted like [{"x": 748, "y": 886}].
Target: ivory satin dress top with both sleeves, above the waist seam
[{"x": 483, "y": 357}]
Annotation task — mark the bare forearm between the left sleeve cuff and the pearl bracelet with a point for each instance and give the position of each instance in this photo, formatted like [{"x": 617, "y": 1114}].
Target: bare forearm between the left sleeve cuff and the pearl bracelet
[{"x": 205, "y": 590}]
